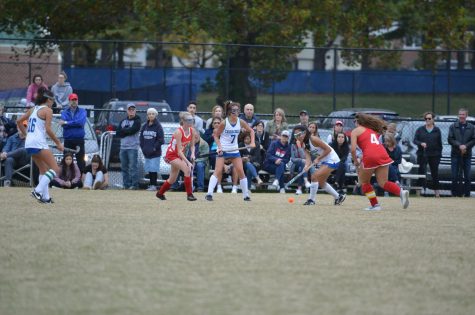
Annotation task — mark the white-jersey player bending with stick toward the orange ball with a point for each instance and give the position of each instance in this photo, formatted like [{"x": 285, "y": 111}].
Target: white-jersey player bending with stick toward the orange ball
[{"x": 327, "y": 159}]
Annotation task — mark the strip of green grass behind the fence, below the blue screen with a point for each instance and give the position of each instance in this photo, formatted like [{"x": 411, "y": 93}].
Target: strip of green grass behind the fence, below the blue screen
[{"x": 322, "y": 104}]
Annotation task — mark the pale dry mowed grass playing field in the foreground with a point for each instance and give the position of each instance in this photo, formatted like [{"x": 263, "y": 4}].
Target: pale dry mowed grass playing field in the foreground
[{"x": 125, "y": 252}]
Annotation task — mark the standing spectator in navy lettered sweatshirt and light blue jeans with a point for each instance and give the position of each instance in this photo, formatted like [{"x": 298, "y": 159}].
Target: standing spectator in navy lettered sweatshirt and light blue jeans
[{"x": 151, "y": 140}]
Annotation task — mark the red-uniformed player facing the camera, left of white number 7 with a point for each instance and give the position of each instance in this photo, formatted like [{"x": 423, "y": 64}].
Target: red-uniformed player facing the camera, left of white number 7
[{"x": 175, "y": 156}]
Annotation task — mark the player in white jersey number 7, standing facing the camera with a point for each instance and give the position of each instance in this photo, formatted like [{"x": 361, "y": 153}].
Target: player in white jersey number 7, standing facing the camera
[{"x": 226, "y": 137}]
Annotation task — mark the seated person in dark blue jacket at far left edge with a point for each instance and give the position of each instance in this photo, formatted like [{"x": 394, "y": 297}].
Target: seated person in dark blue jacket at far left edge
[{"x": 14, "y": 156}]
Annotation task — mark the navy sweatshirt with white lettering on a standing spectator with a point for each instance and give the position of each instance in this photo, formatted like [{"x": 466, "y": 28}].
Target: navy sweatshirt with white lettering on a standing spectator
[{"x": 151, "y": 139}]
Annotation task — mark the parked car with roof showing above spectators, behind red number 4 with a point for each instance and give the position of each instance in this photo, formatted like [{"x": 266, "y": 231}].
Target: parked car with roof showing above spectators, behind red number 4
[{"x": 347, "y": 116}]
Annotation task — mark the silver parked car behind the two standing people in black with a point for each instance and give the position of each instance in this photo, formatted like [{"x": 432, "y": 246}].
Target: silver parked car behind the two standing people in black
[{"x": 408, "y": 129}]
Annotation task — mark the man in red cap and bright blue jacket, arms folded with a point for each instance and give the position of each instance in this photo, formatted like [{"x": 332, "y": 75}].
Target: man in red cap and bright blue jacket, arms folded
[{"x": 73, "y": 119}]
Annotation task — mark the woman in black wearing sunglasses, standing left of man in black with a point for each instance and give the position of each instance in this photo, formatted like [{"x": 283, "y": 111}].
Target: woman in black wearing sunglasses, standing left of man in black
[{"x": 428, "y": 139}]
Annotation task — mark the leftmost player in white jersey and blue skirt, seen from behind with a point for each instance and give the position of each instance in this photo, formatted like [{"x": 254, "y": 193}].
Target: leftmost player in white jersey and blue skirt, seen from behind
[{"x": 39, "y": 125}]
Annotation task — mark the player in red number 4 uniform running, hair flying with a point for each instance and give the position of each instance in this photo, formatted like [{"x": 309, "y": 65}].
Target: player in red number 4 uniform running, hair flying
[{"x": 375, "y": 159}]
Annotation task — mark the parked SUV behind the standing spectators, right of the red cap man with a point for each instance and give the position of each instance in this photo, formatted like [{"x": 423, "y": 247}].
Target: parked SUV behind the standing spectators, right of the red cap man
[{"x": 114, "y": 111}]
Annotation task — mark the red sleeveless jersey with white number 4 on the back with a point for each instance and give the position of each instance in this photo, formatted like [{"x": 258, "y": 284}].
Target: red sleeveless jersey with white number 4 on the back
[{"x": 374, "y": 153}]
